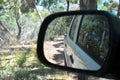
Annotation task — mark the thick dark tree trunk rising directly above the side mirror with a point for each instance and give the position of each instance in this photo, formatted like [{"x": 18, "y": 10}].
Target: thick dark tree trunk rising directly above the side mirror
[{"x": 88, "y": 4}]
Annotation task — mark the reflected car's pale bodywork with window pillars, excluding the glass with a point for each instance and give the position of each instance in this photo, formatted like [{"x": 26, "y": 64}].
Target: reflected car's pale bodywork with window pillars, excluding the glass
[{"x": 75, "y": 57}]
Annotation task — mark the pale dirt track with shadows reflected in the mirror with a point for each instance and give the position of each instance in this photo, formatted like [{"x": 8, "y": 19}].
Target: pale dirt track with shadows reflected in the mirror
[{"x": 54, "y": 51}]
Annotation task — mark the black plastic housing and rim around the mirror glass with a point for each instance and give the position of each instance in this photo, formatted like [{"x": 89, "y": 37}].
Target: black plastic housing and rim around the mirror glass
[{"x": 114, "y": 39}]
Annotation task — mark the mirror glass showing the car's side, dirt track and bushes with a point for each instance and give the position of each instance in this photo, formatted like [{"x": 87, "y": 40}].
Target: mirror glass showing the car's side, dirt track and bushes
[{"x": 78, "y": 41}]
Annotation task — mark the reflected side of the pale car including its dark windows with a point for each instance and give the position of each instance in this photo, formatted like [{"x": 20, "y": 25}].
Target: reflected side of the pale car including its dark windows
[{"x": 79, "y": 53}]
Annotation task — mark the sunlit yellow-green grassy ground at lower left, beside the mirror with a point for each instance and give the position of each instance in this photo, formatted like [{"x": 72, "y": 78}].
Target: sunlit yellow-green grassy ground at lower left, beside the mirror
[{"x": 22, "y": 64}]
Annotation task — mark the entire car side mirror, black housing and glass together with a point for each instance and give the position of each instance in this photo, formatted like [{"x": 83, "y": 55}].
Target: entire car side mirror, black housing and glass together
[{"x": 79, "y": 41}]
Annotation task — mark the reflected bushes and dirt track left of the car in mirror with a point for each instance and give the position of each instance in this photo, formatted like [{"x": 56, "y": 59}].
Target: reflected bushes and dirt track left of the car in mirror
[{"x": 54, "y": 40}]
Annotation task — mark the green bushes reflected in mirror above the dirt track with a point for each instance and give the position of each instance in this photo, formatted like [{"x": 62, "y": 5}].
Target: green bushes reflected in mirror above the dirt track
[{"x": 58, "y": 27}]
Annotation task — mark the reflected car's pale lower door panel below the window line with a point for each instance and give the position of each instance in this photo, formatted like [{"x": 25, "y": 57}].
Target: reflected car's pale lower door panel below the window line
[{"x": 73, "y": 49}]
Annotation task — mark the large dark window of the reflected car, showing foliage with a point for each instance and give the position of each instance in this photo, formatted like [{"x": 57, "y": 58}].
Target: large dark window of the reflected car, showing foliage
[{"x": 94, "y": 36}]
